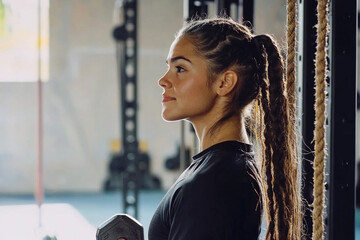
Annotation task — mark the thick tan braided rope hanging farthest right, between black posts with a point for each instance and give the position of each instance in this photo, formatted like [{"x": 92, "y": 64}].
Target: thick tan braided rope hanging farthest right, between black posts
[{"x": 319, "y": 135}]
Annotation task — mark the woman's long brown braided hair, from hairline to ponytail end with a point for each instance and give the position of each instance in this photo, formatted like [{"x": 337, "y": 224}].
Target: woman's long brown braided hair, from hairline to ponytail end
[{"x": 226, "y": 44}]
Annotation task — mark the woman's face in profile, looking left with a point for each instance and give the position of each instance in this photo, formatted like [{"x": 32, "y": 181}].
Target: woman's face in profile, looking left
[{"x": 186, "y": 91}]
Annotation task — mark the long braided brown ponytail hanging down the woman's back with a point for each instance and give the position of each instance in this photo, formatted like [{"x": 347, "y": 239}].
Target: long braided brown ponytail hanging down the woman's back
[{"x": 279, "y": 159}]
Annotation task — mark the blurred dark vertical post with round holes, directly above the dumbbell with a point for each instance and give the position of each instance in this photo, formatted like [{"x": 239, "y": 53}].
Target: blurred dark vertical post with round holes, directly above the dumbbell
[{"x": 129, "y": 123}]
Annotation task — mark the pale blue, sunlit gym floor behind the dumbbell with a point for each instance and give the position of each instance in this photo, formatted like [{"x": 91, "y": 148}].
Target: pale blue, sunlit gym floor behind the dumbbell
[{"x": 75, "y": 216}]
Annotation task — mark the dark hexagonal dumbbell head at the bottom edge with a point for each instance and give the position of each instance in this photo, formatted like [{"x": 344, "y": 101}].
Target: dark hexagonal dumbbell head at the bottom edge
[{"x": 120, "y": 227}]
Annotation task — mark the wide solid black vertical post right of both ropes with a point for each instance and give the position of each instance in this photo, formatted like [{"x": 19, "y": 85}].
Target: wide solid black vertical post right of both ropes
[{"x": 343, "y": 119}]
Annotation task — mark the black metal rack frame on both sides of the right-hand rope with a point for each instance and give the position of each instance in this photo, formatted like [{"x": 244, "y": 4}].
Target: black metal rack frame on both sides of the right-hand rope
[{"x": 339, "y": 215}]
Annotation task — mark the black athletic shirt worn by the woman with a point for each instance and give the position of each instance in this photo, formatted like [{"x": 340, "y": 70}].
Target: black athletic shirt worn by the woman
[{"x": 216, "y": 197}]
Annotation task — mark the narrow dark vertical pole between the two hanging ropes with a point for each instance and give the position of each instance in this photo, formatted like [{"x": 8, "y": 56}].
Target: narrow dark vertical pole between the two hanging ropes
[{"x": 308, "y": 19}]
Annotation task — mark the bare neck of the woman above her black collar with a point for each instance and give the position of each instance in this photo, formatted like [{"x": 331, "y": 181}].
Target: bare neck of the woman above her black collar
[{"x": 233, "y": 129}]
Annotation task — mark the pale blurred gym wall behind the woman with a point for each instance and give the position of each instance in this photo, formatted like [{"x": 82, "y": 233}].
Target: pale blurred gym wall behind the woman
[{"x": 81, "y": 110}]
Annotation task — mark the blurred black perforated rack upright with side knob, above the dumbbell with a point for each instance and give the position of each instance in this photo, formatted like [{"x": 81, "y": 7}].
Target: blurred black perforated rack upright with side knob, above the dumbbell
[{"x": 126, "y": 36}]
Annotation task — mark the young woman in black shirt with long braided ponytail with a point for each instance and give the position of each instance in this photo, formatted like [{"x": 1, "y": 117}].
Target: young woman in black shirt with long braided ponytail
[{"x": 229, "y": 83}]
